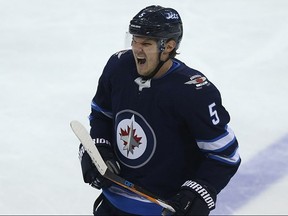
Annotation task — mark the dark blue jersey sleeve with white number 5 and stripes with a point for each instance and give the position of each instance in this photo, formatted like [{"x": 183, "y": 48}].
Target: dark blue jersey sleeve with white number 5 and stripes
[{"x": 207, "y": 120}]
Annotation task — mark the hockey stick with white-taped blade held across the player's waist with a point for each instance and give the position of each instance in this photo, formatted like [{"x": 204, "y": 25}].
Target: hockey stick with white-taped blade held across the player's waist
[{"x": 89, "y": 145}]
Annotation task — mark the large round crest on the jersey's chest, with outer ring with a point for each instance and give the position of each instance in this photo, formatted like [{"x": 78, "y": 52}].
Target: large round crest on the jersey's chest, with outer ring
[{"x": 135, "y": 139}]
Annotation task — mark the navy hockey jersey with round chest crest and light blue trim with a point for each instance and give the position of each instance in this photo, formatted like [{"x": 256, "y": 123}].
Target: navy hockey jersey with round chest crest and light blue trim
[{"x": 163, "y": 131}]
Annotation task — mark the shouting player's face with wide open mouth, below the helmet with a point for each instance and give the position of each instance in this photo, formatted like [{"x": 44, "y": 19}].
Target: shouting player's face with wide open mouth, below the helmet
[{"x": 146, "y": 54}]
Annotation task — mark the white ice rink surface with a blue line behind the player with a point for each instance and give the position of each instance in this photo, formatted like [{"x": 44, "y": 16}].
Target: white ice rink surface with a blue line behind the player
[{"x": 52, "y": 53}]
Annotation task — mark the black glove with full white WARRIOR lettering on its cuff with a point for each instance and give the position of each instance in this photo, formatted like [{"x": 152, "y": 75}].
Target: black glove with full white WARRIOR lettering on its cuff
[{"x": 194, "y": 198}]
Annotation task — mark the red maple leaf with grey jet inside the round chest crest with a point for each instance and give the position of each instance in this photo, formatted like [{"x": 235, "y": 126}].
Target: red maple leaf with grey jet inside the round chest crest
[{"x": 130, "y": 138}]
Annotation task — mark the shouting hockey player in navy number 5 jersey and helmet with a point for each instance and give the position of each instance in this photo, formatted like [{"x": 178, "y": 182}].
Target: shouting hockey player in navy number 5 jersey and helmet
[{"x": 160, "y": 124}]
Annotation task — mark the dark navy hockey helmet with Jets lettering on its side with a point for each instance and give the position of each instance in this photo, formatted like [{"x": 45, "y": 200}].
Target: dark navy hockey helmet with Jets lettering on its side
[{"x": 157, "y": 22}]
